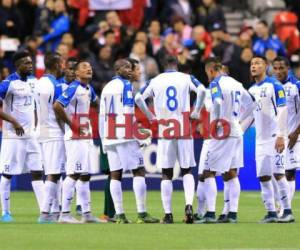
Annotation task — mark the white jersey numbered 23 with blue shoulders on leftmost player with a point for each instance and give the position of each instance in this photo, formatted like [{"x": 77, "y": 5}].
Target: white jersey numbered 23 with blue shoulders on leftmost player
[{"x": 19, "y": 101}]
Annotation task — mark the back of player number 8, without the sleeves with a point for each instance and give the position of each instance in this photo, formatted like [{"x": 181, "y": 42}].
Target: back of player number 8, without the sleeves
[{"x": 171, "y": 94}]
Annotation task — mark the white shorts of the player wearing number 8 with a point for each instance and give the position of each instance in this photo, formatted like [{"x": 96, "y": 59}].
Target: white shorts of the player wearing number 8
[{"x": 168, "y": 151}]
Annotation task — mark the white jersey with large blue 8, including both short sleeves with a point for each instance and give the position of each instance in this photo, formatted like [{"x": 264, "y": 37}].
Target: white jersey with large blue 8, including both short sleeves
[{"x": 171, "y": 95}]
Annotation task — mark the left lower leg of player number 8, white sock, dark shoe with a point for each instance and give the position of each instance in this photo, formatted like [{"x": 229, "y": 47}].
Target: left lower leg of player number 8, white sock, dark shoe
[{"x": 166, "y": 187}]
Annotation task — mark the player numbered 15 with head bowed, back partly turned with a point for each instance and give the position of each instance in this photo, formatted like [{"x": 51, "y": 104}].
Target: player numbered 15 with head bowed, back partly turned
[{"x": 227, "y": 97}]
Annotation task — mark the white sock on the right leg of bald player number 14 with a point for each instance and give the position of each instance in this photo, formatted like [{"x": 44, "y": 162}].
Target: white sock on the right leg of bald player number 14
[{"x": 139, "y": 188}]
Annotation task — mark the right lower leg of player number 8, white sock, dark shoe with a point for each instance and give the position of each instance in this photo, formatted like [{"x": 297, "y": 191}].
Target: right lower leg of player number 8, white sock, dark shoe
[{"x": 189, "y": 190}]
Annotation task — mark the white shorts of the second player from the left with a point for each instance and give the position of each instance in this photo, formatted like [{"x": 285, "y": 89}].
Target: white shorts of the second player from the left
[{"x": 53, "y": 156}]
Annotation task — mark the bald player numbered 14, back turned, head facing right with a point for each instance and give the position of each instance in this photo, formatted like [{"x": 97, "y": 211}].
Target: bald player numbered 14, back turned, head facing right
[{"x": 123, "y": 154}]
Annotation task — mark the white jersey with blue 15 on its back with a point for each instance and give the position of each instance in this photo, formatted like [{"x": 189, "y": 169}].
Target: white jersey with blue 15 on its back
[{"x": 233, "y": 97}]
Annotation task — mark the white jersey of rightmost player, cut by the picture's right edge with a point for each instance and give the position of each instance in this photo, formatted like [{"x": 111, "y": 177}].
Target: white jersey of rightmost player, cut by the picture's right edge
[{"x": 292, "y": 90}]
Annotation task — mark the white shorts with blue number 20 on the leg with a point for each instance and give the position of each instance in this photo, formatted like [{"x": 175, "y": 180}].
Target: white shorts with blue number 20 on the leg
[{"x": 268, "y": 161}]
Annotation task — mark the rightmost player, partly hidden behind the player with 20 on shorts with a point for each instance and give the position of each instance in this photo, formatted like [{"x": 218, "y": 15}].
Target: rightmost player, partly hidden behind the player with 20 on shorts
[{"x": 291, "y": 87}]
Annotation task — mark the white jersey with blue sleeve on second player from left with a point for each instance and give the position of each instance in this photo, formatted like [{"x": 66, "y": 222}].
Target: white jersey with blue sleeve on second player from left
[{"x": 48, "y": 90}]
